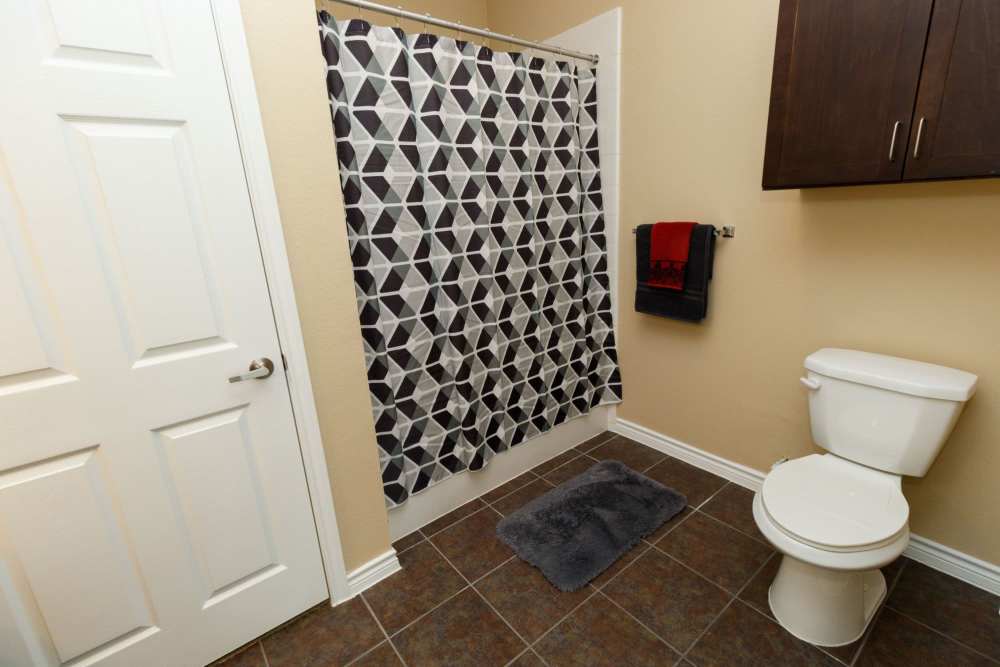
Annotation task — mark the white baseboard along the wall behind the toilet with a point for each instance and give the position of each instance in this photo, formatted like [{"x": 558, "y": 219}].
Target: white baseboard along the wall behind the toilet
[{"x": 964, "y": 567}]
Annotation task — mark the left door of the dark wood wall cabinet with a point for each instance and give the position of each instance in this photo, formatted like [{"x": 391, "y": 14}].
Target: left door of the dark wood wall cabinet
[{"x": 844, "y": 83}]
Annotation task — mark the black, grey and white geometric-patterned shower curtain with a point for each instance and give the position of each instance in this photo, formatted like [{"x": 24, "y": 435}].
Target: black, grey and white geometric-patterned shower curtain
[{"x": 473, "y": 199}]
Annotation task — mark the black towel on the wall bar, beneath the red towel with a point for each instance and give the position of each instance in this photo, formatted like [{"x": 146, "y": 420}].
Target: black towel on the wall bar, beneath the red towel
[{"x": 690, "y": 304}]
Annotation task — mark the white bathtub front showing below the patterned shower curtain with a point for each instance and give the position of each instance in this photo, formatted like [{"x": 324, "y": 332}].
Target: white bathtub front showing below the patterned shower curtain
[{"x": 436, "y": 501}]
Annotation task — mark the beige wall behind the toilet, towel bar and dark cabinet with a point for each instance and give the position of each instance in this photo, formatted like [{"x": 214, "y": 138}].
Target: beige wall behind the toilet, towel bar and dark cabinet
[{"x": 910, "y": 270}]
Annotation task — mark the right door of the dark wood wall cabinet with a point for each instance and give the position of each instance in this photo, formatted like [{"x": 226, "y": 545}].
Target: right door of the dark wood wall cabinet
[{"x": 956, "y": 130}]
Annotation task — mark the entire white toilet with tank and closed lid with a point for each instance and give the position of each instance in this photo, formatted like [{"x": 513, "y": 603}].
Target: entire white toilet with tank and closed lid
[{"x": 838, "y": 517}]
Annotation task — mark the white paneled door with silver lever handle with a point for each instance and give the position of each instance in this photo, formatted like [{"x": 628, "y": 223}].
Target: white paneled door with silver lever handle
[{"x": 151, "y": 513}]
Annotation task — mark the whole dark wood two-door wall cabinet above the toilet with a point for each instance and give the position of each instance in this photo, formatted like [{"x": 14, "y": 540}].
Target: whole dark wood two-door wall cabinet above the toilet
[{"x": 880, "y": 91}]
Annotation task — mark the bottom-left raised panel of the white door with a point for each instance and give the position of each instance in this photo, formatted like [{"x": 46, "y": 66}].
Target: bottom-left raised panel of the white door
[{"x": 67, "y": 539}]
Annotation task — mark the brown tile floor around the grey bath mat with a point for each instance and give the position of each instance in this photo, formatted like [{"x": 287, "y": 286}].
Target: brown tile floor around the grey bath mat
[{"x": 693, "y": 593}]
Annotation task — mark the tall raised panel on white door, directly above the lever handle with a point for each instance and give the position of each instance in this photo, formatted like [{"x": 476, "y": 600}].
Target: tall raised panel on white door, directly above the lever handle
[{"x": 148, "y": 229}]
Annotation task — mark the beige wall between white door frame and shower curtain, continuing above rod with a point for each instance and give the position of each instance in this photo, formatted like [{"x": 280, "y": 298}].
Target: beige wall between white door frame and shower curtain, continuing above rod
[{"x": 284, "y": 48}]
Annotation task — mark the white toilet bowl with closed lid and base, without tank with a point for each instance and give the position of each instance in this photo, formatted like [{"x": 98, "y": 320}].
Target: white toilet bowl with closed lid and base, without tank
[{"x": 836, "y": 523}]
